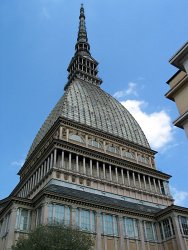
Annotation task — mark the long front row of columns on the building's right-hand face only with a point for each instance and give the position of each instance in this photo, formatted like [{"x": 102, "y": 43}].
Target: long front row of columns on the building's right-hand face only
[{"x": 98, "y": 169}]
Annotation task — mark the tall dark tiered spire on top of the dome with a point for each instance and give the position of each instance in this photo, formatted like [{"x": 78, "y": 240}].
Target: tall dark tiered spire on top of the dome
[{"x": 83, "y": 66}]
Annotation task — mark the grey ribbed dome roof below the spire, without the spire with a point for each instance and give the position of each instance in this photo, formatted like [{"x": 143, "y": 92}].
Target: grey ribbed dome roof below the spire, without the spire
[{"x": 88, "y": 104}]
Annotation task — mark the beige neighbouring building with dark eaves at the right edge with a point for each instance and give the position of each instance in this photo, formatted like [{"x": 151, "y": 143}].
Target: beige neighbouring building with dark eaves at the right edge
[{"x": 179, "y": 87}]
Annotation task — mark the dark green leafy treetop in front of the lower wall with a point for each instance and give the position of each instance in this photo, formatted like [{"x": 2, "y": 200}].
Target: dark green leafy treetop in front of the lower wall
[{"x": 56, "y": 237}]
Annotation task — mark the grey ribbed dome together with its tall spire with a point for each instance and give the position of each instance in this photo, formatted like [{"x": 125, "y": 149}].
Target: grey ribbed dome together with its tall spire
[{"x": 86, "y": 103}]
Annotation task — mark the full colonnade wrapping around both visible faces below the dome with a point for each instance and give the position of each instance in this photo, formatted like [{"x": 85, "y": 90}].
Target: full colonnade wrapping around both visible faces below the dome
[{"x": 86, "y": 166}]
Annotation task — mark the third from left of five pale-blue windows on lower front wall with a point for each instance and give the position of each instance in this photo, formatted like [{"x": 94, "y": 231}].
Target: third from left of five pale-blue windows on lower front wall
[{"x": 109, "y": 224}]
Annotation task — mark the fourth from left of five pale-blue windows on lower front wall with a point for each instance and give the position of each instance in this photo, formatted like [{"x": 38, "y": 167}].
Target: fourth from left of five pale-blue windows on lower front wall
[{"x": 130, "y": 227}]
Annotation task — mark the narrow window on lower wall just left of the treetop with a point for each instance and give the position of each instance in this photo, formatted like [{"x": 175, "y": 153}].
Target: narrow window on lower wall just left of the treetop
[{"x": 23, "y": 219}]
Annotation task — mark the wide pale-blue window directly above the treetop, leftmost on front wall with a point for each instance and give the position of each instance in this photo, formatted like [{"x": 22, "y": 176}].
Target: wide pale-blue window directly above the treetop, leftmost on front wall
[{"x": 58, "y": 214}]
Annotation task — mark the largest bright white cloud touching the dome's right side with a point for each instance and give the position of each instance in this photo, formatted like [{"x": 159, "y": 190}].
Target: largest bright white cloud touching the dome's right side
[{"x": 156, "y": 126}]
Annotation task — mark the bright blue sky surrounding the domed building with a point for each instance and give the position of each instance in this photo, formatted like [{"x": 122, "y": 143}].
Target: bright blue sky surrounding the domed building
[{"x": 132, "y": 40}]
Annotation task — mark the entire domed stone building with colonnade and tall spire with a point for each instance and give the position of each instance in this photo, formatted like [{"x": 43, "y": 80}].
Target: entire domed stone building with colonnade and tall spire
[{"x": 90, "y": 165}]
